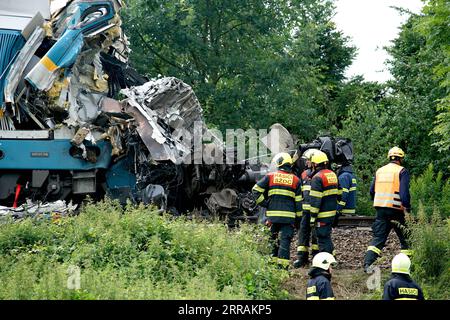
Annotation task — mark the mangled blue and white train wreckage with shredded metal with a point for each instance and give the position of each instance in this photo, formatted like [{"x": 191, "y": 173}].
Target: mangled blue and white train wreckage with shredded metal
[{"x": 63, "y": 136}]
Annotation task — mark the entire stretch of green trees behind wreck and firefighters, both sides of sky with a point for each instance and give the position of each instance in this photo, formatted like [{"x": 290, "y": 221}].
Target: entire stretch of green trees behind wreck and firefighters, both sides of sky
[{"x": 253, "y": 63}]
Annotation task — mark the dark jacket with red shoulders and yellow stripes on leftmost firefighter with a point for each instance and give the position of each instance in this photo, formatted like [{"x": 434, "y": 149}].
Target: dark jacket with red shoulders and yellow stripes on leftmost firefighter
[{"x": 283, "y": 191}]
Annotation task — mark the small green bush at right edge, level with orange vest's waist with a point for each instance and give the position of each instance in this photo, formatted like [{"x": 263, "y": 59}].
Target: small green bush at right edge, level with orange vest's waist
[{"x": 431, "y": 191}]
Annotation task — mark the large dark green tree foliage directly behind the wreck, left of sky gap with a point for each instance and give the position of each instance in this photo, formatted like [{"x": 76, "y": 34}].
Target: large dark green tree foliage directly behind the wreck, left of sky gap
[{"x": 251, "y": 62}]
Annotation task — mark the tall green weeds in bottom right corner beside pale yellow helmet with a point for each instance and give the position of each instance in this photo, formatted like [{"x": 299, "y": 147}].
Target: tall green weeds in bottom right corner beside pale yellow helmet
[{"x": 430, "y": 238}]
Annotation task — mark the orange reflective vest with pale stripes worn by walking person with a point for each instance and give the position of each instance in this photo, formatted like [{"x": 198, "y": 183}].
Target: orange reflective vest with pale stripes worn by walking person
[{"x": 387, "y": 187}]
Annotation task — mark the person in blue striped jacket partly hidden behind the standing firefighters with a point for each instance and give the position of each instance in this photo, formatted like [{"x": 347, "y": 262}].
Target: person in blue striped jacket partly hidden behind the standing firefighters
[{"x": 346, "y": 191}]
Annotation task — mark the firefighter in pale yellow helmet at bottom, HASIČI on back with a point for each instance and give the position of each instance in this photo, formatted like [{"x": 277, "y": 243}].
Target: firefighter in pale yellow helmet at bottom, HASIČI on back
[{"x": 401, "y": 286}]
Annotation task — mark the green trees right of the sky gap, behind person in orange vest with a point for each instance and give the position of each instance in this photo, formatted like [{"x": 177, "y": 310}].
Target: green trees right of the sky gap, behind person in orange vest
[{"x": 402, "y": 111}]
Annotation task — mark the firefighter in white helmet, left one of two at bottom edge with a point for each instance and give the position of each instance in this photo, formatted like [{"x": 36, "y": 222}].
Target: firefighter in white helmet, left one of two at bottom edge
[{"x": 319, "y": 285}]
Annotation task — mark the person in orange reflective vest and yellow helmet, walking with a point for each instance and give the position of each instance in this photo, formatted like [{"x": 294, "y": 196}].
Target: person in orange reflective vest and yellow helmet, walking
[{"x": 390, "y": 191}]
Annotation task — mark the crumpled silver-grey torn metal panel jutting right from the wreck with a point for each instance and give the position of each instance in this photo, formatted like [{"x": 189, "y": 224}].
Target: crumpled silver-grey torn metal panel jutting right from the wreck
[{"x": 169, "y": 101}]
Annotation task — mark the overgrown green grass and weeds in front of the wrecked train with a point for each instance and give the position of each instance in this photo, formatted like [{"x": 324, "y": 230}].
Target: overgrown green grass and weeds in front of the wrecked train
[{"x": 135, "y": 253}]
